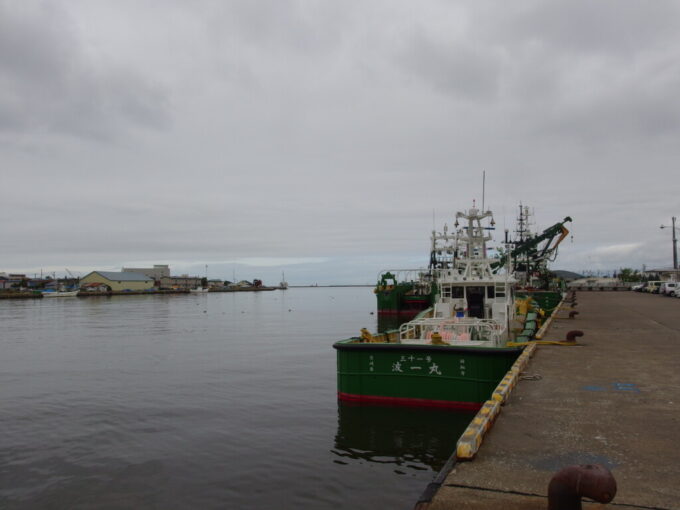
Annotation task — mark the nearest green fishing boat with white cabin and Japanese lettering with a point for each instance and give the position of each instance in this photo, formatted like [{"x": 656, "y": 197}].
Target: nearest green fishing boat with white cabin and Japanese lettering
[{"x": 453, "y": 354}]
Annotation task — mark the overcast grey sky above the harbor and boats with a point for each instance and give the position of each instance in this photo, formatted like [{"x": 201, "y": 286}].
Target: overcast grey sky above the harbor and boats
[{"x": 318, "y": 137}]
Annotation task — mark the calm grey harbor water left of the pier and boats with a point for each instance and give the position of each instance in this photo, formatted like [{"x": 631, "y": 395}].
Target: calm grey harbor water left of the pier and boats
[{"x": 206, "y": 401}]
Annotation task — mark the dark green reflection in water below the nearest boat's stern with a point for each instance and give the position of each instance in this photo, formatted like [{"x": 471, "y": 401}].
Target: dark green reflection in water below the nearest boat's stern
[{"x": 409, "y": 438}]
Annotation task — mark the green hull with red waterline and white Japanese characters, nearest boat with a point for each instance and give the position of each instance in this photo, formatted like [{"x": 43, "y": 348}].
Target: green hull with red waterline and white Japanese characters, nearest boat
[{"x": 420, "y": 375}]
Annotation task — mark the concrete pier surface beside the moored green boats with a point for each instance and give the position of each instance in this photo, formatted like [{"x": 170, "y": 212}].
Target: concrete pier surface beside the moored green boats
[{"x": 612, "y": 400}]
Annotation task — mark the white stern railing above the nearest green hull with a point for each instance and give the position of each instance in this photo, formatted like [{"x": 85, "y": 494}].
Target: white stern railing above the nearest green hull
[{"x": 453, "y": 330}]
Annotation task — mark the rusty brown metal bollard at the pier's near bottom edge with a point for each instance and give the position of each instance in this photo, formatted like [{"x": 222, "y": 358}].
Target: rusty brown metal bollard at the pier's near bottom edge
[{"x": 569, "y": 485}]
